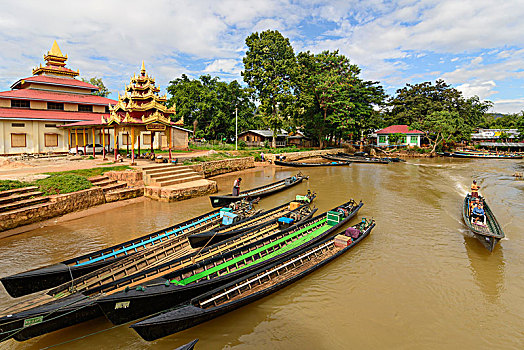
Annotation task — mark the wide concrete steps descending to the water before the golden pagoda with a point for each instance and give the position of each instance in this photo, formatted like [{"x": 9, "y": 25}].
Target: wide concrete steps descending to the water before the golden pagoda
[{"x": 162, "y": 175}]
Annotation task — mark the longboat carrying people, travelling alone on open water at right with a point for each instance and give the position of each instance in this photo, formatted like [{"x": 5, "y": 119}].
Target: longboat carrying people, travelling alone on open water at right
[{"x": 488, "y": 234}]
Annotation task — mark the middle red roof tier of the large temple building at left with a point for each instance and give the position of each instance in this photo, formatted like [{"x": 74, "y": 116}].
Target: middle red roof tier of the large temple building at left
[{"x": 43, "y": 95}]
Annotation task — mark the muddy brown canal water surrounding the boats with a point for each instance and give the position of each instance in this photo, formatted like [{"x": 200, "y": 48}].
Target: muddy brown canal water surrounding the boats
[{"x": 419, "y": 281}]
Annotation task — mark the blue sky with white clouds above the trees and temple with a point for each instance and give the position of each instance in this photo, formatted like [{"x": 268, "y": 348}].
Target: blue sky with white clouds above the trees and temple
[{"x": 476, "y": 46}]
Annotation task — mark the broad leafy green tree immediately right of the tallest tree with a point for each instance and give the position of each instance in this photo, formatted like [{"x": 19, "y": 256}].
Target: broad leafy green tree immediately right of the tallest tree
[{"x": 330, "y": 86}]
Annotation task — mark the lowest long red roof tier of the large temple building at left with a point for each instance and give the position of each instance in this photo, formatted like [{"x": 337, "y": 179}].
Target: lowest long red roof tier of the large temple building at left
[{"x": 51, "y": 115}]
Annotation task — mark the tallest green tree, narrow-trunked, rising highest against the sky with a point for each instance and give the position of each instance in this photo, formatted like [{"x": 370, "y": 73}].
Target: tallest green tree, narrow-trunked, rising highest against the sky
[{"x": 270, "y": 68}]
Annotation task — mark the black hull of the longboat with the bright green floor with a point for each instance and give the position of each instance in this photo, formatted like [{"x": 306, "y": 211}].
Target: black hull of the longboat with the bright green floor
[{"x": 162, "y": 297}]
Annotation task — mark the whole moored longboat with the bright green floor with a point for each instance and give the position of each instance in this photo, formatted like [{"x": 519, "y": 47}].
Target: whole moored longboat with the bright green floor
[{"x": 183, "y": 284}]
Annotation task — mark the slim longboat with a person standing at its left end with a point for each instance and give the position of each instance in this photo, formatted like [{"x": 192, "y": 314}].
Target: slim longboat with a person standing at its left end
[{"x": 258, "y": 192}]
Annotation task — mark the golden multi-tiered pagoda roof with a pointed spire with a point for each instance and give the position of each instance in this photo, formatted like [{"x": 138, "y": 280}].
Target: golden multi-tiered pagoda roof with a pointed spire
[{"x": 141, "y": 103}]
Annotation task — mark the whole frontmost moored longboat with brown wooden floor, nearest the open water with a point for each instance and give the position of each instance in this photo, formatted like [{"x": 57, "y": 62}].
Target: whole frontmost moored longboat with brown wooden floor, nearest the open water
[{"x": 247, "y": 289}]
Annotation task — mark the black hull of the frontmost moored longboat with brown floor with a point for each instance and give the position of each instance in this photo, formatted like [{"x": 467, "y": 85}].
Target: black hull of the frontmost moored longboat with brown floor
[{"x": 188, "y": 316}]
